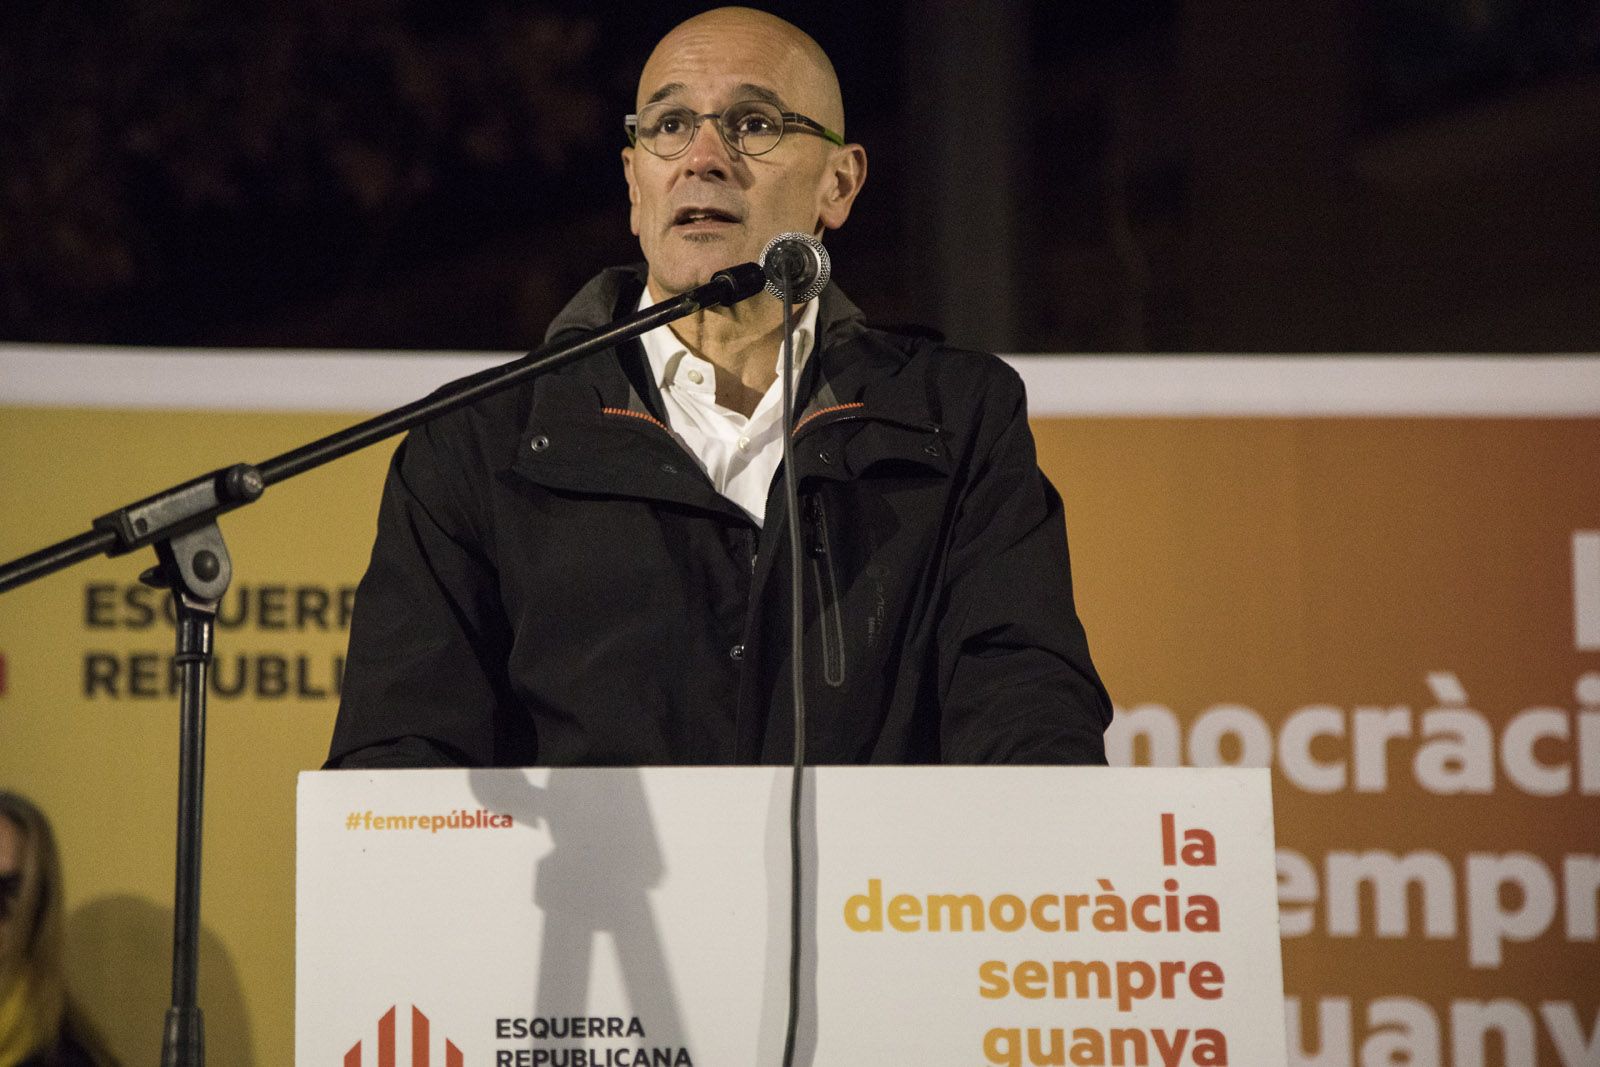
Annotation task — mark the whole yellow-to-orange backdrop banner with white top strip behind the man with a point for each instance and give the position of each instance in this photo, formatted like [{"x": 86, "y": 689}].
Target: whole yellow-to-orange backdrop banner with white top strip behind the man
[{"x": 1380, "y": 578}]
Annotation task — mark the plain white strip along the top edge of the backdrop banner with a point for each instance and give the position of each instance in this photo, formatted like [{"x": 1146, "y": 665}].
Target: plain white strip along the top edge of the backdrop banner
[{"x": 278, "y": 380}]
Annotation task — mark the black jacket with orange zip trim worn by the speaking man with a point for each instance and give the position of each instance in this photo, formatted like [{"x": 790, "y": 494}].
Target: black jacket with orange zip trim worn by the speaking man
[{"x": 558, "y": 583}]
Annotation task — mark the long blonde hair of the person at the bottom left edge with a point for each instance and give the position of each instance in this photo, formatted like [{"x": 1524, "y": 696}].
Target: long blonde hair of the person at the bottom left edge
[{"x": 34, "y": 1002}]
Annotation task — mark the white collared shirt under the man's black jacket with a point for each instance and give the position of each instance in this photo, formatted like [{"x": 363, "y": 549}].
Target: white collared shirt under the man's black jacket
[{"x": 740, "y": 455}]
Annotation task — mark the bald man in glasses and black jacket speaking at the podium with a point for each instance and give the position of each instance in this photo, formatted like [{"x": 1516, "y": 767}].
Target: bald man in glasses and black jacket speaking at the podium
[{"x": 593, "y": 569}]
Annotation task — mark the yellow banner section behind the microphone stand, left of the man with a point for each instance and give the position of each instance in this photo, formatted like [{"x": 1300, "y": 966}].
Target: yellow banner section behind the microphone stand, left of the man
[{"x": 89, "y": 716}]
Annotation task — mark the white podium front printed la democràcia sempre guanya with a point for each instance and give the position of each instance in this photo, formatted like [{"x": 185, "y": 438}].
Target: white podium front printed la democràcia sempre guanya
[{"x": 622, "y": 917}]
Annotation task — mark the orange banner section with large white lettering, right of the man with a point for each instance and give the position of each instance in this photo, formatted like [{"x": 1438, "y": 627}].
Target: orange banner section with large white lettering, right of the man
[{"x": 1399, "y": 617}]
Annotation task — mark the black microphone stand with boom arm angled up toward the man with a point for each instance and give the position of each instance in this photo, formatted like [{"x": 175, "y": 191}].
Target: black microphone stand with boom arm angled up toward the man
[{"x": 193, "y": 562}]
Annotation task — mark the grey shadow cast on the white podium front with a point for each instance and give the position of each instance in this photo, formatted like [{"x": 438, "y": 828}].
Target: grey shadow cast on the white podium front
[{"x": 596, "y": 881}]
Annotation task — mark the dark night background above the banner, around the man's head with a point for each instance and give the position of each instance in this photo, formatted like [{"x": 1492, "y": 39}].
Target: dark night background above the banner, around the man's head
[{"x": 1150, "y": 175}]
